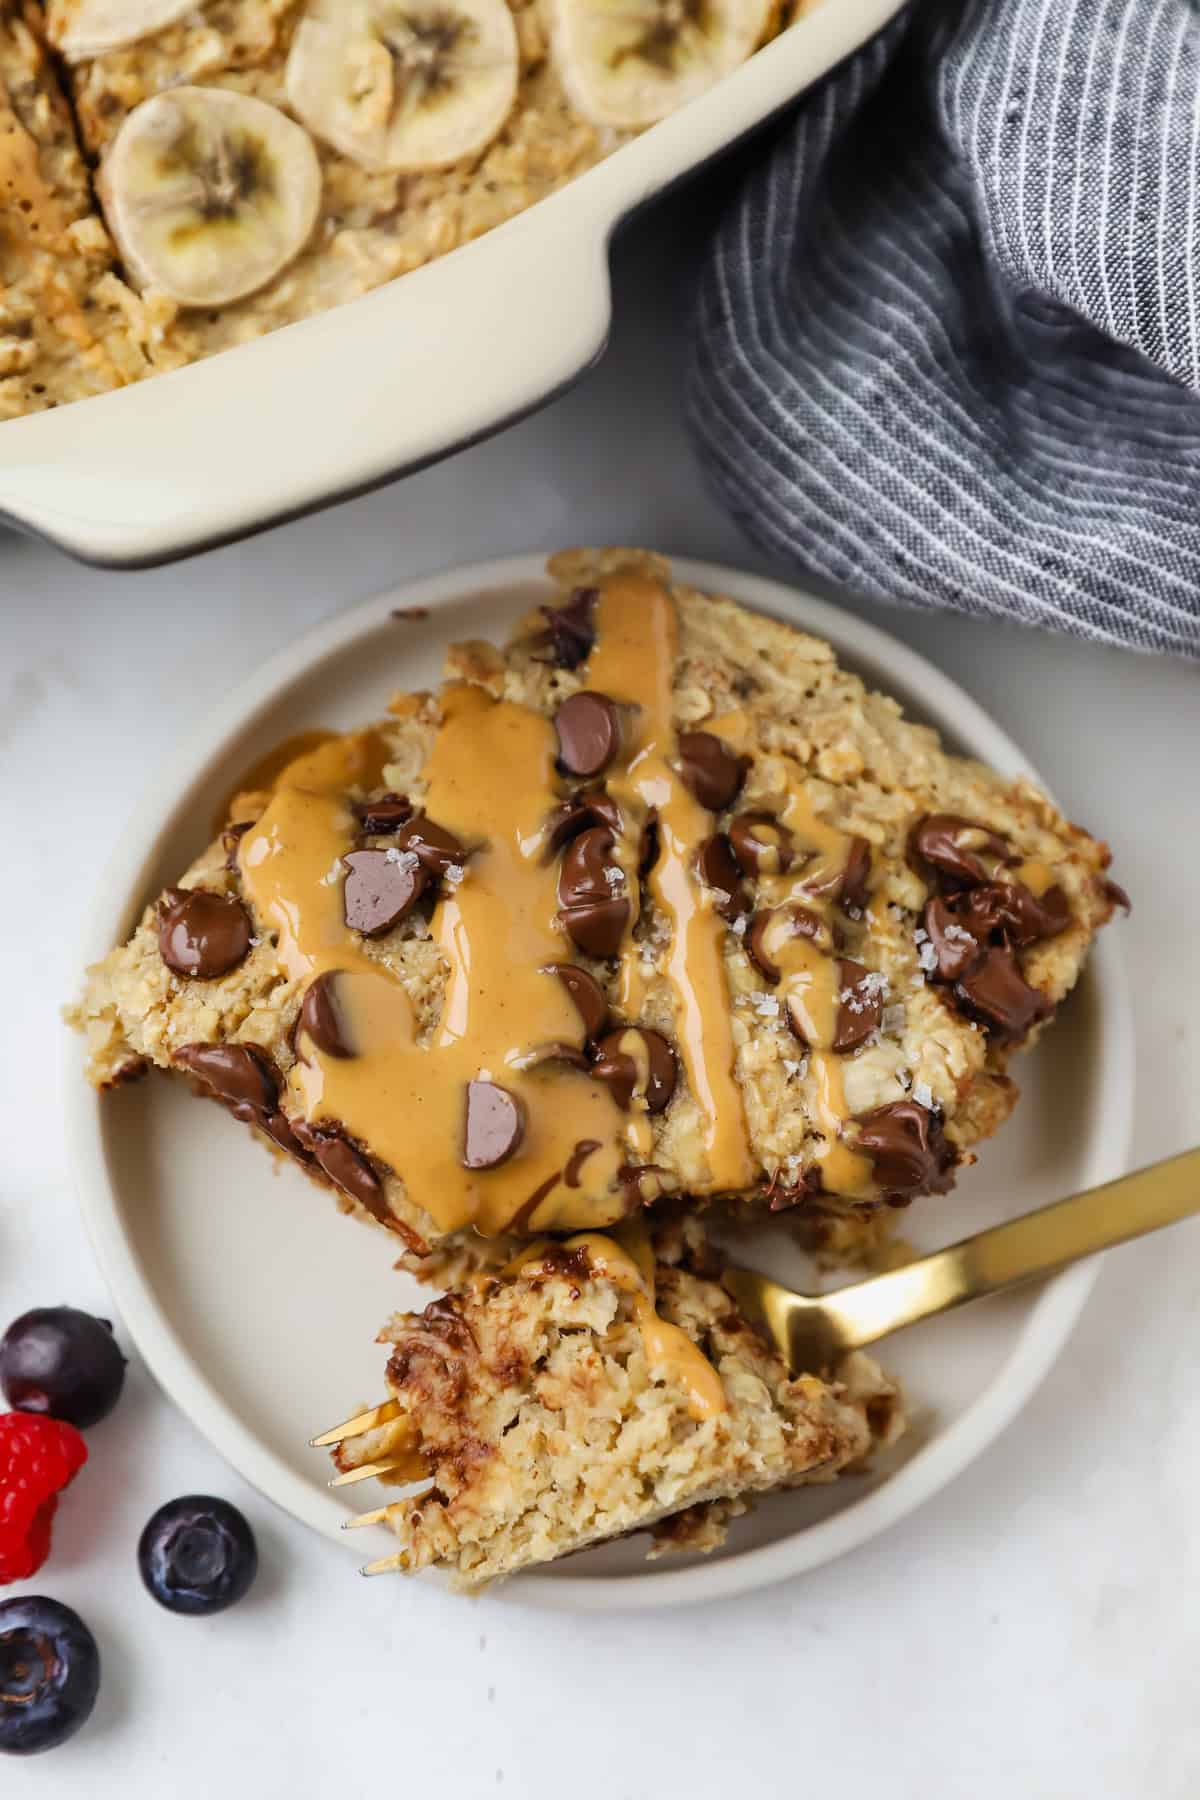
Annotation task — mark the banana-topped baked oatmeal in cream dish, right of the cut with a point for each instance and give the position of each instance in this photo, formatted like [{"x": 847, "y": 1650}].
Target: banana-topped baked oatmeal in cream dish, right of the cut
[{"x": 262, "y": 161}]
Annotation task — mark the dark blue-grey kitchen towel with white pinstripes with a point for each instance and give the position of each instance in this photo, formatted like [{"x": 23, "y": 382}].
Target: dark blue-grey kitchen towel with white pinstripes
[{"x": 947, "y": 345}]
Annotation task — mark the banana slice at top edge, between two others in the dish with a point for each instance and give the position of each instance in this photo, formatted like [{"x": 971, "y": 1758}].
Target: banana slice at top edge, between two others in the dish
[{"x": 404, "y": 84}]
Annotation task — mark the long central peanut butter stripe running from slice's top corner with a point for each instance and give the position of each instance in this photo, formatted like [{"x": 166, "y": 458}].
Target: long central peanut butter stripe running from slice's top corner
[{"x": 634, "y": 663}]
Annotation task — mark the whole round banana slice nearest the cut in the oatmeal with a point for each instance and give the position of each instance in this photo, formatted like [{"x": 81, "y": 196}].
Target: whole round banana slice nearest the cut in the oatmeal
[{"x": 210, "y": 193}]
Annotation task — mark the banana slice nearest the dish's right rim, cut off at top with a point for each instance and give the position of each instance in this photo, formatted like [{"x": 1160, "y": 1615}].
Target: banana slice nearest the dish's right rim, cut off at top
[{"x": 627, "y": 64}]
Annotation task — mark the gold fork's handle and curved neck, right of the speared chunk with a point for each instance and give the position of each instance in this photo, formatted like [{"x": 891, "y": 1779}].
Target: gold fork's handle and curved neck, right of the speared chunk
[{"x": 812, "y": 1333}]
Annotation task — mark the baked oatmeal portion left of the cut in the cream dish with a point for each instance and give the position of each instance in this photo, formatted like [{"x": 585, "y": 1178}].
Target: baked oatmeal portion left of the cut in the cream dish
[{"x": 62, "y": 323}]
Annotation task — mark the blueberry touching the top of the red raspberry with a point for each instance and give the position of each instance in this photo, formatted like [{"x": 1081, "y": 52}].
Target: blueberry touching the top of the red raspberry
[{"x": 64, "y": 1363}]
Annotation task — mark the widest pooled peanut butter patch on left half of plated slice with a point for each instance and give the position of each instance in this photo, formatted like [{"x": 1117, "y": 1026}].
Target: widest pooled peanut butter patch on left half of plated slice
[{"x": 492, "y": 769}]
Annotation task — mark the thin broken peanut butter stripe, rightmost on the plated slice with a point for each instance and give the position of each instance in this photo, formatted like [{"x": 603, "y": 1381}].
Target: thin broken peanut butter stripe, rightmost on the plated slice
[{"x": 810, "y": 980}]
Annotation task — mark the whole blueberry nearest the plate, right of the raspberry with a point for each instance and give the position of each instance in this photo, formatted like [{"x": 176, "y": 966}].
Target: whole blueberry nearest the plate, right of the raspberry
[{"x": 197, "y": 1556}]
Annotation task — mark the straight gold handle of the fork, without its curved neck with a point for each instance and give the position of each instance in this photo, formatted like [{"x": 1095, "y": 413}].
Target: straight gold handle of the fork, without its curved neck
[{"x": 1019, "y": 1250}]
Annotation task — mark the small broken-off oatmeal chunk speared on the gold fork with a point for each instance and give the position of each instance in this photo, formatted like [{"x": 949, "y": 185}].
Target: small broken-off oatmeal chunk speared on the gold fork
[{"x": 591, "y": 1390}]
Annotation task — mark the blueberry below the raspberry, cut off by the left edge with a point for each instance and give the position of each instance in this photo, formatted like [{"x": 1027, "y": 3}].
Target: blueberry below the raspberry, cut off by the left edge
[{"x": 49, "y": 1675}]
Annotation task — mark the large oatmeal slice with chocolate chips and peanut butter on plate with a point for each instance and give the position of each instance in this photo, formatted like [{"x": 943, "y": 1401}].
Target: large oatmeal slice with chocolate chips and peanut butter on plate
[{"x": 656, "y": 901}]
